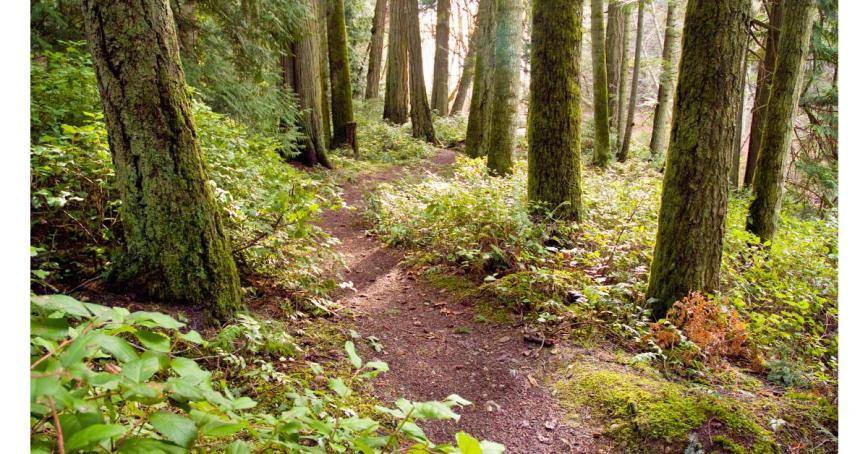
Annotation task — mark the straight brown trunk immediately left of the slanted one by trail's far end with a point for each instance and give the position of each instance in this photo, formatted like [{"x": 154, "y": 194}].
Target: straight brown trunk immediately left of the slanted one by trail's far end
[{"x": 397, "y": 66}]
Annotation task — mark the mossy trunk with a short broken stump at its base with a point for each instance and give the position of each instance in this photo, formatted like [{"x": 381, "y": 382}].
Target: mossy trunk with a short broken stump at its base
[{"x": 339, "y": 66}]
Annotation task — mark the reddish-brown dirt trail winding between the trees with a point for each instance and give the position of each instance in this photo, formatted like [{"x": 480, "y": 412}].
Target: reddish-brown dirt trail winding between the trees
[{"x": 418, "y": 326}]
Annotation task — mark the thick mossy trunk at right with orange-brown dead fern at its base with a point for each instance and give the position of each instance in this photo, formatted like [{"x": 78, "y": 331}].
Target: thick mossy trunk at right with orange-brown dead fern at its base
[{"x": 692, "y": 216}]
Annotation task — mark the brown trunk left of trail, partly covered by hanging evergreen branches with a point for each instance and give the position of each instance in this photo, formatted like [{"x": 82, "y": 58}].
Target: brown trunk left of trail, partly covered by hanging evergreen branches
[{"x": 304, "y": 67}]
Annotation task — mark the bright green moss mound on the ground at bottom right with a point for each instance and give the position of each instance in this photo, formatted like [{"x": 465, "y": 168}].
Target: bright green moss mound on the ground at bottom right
[{"x": 638, "y": 409}]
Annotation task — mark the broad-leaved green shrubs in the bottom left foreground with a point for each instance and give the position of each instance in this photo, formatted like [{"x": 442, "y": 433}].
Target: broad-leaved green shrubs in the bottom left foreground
[{"x": 108, "y": 380}]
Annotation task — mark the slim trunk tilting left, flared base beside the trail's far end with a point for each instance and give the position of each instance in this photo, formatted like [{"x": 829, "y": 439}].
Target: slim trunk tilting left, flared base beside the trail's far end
[{"x": 420, "y": 112}]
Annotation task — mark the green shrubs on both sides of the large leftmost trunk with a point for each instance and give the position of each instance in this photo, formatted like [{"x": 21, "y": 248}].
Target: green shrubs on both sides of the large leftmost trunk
[{"x": 269, "y": 207}]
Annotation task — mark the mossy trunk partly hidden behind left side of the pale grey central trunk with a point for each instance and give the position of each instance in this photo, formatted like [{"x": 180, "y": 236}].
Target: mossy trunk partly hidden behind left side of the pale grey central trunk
[{"x": 476, "y": 138}]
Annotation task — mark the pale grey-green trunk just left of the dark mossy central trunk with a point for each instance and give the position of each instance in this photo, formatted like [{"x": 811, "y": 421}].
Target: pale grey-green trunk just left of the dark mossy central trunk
[{"x": 507, "y": 64}]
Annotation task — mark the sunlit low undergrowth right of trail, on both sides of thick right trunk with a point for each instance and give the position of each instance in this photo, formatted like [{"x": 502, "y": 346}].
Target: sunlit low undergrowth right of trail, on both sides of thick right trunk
[{"x": 596, "y": 271}]
